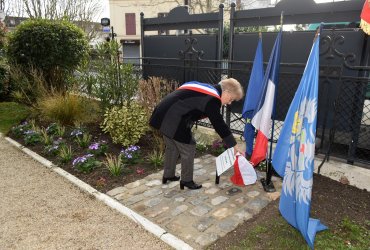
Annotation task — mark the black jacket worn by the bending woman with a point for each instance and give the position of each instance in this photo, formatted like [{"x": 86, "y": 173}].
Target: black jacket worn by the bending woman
[{"x": 177, "y": 112}]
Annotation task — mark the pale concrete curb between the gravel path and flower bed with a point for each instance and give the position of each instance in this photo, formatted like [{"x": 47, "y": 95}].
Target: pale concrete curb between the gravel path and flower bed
[{"x": 151, "y": 227}]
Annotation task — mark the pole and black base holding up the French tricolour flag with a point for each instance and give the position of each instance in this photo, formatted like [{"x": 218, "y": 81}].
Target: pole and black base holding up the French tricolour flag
[{"x": 267, "y": 184}]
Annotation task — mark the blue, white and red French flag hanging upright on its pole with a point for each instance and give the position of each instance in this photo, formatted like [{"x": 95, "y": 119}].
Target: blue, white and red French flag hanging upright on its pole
[{"x": 262, "y": 115}]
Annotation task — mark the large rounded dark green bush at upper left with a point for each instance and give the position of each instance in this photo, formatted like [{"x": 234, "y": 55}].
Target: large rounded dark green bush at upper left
[{"x": 54, "y": 47}]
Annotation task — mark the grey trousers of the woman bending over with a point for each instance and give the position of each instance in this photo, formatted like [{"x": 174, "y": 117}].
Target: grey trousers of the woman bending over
[{"x": 174, "y": 149}]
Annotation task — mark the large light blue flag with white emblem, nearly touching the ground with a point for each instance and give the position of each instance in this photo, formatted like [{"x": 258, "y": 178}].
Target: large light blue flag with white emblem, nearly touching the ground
[{"x": 295, "y": 151}]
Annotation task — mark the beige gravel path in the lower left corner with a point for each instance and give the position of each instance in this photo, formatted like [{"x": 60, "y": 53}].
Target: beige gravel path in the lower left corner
[{"x": 41, "y": 210}]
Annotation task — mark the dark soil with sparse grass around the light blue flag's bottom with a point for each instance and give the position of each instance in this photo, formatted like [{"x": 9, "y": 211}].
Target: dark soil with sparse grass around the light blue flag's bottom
[{"x": 343, "y": 208}]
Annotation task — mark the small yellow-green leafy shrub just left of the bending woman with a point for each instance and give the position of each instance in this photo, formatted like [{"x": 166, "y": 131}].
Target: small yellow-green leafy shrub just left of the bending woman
[{"x": 125, "y": 124}]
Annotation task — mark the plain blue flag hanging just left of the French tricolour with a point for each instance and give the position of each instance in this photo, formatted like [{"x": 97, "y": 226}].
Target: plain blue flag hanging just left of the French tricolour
[{"x": 251, "y": 99}]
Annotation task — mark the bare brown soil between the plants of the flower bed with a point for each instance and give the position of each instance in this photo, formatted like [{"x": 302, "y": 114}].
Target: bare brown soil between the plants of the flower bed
[{"x": 100, "y": 177}]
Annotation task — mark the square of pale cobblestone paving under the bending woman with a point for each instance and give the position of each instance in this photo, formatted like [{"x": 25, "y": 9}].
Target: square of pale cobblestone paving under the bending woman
[{"x": 199, "y": 217}]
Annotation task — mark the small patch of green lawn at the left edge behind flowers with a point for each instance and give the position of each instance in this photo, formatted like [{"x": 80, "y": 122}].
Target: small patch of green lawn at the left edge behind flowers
[{"x": 11, "y": 113}]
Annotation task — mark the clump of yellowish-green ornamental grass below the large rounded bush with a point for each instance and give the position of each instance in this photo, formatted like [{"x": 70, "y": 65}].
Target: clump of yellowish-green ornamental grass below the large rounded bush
[{"x": 67, "y": 109}]
